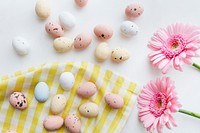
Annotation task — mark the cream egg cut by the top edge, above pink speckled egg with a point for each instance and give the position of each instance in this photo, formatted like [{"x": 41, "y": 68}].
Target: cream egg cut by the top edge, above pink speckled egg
[{"x": 42, "y": 9}]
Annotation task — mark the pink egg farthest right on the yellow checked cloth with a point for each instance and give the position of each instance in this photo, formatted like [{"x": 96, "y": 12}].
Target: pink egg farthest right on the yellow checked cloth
[{"x": 114, "y": 101}]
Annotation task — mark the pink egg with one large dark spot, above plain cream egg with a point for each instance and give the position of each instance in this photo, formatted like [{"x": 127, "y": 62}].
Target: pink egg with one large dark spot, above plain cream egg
[{"x": 103, "y": 32}]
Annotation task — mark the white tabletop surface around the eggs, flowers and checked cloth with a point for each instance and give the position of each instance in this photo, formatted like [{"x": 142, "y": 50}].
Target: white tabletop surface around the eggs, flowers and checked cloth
[{"x": 18, "y": 18}]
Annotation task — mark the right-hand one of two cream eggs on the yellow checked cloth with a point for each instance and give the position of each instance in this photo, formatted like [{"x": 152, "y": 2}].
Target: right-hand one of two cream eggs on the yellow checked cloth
[{"x": 89, "y": 109}]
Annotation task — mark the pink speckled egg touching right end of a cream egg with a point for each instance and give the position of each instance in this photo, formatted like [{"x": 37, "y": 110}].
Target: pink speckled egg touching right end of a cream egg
[{"x": 82, "y": 41}]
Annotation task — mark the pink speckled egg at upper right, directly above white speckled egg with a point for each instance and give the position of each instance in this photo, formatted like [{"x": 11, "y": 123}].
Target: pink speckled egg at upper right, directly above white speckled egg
[{"x": 134, "y": 10}]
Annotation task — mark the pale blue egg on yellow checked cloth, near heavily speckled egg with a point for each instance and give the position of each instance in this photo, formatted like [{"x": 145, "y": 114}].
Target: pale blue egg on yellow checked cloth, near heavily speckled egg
[{"x": 41, "y": 92}]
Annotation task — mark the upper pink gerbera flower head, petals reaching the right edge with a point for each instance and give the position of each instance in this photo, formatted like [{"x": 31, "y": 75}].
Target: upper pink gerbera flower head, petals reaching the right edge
[{"x": 175, "y": 45}]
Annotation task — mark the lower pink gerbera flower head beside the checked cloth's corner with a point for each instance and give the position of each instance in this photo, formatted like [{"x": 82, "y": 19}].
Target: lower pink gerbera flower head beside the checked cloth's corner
[{"x": 156, "y": 102}]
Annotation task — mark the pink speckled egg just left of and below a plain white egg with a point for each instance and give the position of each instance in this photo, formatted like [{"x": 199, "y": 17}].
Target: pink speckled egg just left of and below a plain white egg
[{"x": 54, "y": 29}]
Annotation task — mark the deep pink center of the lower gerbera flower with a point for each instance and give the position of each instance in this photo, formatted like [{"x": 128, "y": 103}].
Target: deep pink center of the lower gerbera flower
[{"x": 158, "y": 104}]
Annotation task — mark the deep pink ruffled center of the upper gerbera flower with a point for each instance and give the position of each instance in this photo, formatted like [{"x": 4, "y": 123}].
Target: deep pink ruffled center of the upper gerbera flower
[{"x": 174, "y": 46}]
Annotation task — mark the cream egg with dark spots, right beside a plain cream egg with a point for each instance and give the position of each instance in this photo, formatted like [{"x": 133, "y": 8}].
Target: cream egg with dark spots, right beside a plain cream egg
[{"x": 120, "y": 54}]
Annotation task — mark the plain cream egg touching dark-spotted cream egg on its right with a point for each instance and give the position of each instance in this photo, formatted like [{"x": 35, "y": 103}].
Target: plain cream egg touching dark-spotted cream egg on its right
[{"x": 102, "y": 52}]
